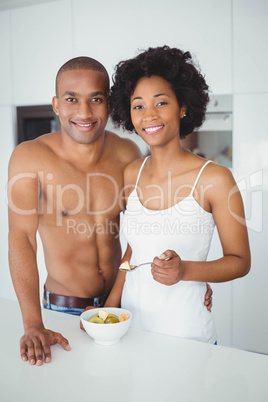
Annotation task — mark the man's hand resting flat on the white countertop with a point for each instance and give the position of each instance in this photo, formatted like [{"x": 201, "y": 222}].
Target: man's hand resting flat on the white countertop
[{"x": 35, "y": 345}]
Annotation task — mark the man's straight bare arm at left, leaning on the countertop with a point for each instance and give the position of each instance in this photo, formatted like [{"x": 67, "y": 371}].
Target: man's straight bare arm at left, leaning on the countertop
[{"x": 23, "y": 197}]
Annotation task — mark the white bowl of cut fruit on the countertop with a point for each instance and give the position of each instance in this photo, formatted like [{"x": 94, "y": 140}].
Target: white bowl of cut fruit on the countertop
[{"x": 107, "y": 325}]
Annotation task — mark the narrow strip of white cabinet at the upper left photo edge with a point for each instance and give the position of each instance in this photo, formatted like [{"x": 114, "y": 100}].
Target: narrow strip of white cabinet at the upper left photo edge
[{"x": 6, "y": 67}]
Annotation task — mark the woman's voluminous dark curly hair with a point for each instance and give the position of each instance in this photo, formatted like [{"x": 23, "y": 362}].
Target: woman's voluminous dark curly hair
[{"x": 177, "y": 68}]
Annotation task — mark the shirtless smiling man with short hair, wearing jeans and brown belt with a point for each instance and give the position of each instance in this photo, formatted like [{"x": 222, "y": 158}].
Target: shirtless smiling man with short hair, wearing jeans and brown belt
[{"x": 68, "y": 186}]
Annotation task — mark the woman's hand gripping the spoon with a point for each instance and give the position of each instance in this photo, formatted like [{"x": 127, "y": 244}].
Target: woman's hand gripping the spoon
[{"x": 168, "y": 269}]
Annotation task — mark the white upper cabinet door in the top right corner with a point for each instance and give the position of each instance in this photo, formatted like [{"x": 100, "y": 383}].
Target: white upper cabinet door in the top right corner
[{"x": 250, "y": 35}]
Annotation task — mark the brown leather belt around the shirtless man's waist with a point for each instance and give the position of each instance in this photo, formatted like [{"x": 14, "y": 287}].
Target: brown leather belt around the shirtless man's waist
[{"x": 74, "y": 302}]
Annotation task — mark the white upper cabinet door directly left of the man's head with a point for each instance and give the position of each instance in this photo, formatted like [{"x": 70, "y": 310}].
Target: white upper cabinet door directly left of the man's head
[{"x": 41, "y": 43}]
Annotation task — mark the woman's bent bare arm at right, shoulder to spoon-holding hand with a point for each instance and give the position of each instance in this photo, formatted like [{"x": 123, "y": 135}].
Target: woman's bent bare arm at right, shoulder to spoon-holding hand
[{"x": 227, "y": 208}]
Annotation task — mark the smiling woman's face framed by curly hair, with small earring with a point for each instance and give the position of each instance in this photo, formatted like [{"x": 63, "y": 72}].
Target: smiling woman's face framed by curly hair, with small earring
[{"x": 155, "y": 111}]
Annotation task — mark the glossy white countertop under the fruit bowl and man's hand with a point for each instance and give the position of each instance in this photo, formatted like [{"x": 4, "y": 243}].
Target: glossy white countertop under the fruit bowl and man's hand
[{"x": 143, "y": 366}]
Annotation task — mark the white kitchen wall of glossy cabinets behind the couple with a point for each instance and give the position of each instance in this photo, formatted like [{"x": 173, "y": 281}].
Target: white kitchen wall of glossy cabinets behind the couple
[{"x": 226, "y": 37}]
